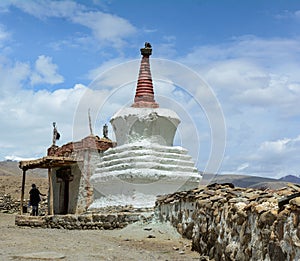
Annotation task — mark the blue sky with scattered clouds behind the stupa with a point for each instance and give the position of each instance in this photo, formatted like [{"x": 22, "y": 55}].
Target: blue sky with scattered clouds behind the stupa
[{"x": 246, "y": 52}]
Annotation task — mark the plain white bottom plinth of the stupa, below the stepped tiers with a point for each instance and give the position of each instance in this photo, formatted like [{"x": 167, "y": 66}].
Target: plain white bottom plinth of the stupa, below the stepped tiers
[{"x": 138, "y": 192}]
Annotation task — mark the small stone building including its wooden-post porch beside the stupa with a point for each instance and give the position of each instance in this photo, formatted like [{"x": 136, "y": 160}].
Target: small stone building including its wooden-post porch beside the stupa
[{"x": 69, "y": 170}]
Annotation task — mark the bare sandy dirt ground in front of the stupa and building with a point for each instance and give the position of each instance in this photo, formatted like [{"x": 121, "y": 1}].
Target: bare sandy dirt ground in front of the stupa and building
[{"x": 138, "y": 241}]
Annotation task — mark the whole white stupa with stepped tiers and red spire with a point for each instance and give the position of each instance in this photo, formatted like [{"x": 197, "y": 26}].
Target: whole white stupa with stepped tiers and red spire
[{"x": 144, "y": 163}]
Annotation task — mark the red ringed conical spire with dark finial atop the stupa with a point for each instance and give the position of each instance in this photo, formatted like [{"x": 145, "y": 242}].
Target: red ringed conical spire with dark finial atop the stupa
[{"x": 144, "y": 95}]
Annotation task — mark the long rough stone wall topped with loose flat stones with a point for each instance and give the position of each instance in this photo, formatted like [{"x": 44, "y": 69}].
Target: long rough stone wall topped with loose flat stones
[{"x": 226, "y": 223}]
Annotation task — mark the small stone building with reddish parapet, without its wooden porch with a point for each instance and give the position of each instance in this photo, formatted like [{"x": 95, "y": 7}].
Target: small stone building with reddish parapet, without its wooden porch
[{"x": 71, "y": 184}]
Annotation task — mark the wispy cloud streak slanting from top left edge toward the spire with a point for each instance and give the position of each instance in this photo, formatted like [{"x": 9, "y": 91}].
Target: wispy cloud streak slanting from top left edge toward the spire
[{"x": 107, "y": 28}]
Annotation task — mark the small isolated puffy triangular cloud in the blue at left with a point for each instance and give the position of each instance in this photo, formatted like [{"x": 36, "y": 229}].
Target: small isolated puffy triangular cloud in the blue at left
[{"x": 45, "y": 72}]
